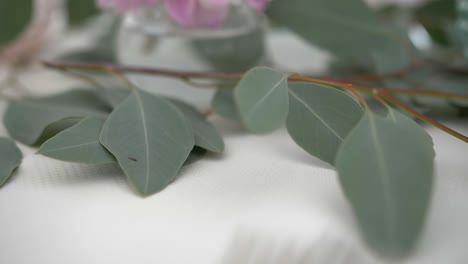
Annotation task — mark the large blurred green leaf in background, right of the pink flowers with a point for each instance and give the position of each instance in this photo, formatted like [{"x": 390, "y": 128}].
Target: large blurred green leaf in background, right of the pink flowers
[{"x": 348, "y": 29}]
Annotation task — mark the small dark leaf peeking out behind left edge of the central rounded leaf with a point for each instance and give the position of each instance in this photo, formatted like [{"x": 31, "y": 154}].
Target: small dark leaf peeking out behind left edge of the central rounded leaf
[{"x": 223, "y": 104}]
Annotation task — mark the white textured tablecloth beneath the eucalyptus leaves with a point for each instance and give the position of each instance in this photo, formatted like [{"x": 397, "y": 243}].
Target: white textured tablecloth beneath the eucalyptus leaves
[{"x": 263, "y": 201}]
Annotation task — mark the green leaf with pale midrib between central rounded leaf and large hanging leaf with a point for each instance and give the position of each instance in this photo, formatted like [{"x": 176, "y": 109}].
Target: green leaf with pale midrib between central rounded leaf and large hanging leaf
[{"x": 320, "y": 117}]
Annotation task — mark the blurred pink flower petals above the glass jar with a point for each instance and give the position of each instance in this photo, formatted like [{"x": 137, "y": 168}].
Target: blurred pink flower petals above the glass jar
[{"x": 190, "y": 13}]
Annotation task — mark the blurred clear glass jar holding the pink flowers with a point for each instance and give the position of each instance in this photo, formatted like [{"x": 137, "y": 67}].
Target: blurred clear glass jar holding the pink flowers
[{"x": 149, "y": 37}]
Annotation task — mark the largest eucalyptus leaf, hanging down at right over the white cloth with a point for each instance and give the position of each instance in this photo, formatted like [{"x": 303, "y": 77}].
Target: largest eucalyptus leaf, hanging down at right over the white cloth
[{"x": 385, "y": 166}]
